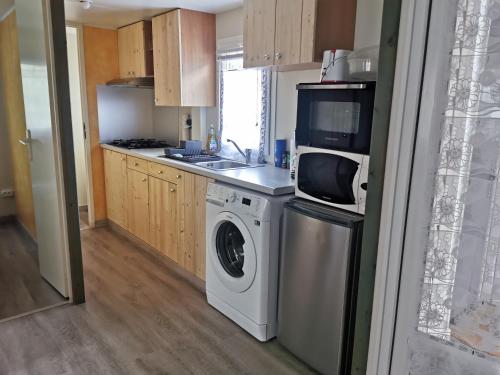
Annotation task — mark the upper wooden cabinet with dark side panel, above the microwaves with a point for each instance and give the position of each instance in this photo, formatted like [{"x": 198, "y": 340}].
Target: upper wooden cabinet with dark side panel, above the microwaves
[{"x": 289, "y": 32}]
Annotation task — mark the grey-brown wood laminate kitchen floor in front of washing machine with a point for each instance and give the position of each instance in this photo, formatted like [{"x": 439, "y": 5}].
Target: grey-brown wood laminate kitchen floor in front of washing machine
[{"x": 140, "y": 317}]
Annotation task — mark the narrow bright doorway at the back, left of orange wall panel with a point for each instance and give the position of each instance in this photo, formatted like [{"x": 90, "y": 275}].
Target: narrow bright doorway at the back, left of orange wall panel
[{"x": 80, "y": 136}]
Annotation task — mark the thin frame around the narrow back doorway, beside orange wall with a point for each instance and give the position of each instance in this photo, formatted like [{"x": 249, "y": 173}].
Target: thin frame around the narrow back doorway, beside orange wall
[{"x": 85, "y": 119}]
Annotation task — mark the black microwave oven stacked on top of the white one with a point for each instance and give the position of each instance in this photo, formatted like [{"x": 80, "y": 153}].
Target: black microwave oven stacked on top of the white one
[{"x": 335, "y": 116}]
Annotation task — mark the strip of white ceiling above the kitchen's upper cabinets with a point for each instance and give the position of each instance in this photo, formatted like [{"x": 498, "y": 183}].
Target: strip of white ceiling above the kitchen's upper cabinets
[{"x": 116, "y": 13}]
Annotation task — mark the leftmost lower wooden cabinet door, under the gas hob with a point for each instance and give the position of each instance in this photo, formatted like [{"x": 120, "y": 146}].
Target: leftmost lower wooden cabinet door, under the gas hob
[{"x": 115, "y": 170}]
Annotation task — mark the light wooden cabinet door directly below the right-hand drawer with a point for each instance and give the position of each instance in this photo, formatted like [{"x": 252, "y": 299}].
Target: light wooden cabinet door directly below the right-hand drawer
[{"x": 163, "y": 228}]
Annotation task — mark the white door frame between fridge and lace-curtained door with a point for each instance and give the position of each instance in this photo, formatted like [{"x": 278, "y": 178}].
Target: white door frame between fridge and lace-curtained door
[{"x": 412, "y": 45}]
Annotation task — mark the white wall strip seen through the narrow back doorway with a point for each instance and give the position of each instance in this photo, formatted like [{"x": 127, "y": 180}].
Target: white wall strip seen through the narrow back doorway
[{"x": 77, "y": 116}]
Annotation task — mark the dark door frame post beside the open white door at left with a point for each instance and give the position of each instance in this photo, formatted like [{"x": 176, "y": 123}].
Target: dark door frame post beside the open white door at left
[{"x": 65, "y": 158}]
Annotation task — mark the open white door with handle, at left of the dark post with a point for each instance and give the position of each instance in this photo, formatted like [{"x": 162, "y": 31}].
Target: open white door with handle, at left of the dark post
[{"x": 42, "y": 141}]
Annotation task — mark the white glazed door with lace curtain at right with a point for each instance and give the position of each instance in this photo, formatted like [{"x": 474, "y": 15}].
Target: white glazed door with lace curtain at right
[{"x": 448, "y": 314}]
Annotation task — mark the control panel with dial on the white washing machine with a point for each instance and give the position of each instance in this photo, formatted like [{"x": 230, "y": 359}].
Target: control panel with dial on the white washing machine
[{"x": 236, "y": 200}]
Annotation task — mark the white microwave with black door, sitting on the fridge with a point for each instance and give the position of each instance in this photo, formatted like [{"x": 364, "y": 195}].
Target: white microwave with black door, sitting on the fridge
[{"x": 335, "y": 178}]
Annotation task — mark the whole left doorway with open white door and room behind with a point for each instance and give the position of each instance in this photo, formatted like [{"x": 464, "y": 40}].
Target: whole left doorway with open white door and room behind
[{"x": 40, "y": 251}]
